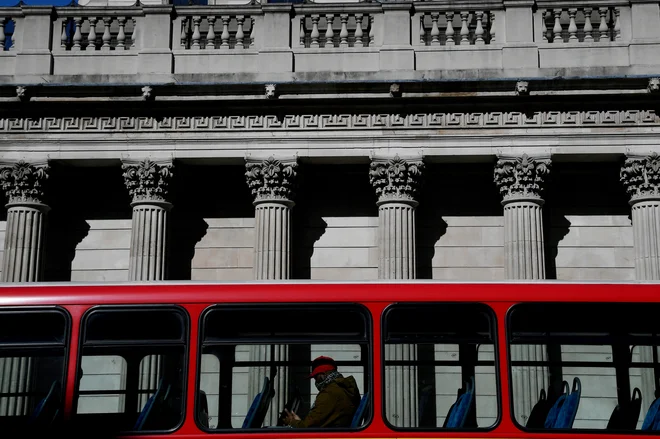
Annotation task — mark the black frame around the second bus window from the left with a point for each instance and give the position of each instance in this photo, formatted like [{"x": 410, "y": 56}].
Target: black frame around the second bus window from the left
[{"x": 186, "y": 357}]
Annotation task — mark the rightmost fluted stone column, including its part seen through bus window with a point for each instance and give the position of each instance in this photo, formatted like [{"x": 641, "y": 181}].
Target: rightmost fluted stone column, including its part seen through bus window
[{"x": 640, "y": 175}]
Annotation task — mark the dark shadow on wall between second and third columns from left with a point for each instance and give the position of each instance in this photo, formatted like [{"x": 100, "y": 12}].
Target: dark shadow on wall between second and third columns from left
[{"x": 201, "y": 192}]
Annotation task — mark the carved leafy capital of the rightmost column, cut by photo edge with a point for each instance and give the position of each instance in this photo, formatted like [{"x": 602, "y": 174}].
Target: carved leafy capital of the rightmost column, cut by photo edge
[{"x": 641, "y": 177}]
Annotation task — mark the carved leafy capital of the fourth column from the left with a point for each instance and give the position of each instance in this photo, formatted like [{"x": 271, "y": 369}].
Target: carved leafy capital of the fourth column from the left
[{"x": 396, "y": 179}]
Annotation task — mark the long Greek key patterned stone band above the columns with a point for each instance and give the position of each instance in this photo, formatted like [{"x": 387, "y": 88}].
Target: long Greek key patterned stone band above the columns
[{"x": 354, "y": 121}]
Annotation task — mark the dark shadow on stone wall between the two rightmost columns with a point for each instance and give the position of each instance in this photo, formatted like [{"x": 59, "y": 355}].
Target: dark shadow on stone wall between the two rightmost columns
[{"x": 579, "y": 189}]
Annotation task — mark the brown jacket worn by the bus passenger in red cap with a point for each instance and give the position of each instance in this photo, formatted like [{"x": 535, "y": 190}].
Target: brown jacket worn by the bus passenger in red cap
[{"x": 335, "y": 405}]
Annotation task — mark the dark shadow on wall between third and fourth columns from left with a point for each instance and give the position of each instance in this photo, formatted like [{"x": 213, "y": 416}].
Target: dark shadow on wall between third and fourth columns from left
[{"x": 326, "y": 191}]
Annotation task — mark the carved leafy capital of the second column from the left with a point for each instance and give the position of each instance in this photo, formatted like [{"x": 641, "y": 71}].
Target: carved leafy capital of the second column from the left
[{"x": 147, "y": 180}]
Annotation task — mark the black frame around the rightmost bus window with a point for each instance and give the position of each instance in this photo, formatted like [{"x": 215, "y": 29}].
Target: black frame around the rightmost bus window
[{"x": 573, "y": 431}]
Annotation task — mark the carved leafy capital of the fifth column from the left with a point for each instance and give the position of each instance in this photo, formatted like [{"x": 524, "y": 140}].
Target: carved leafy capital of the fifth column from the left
[{"x": 521, "y": 177}]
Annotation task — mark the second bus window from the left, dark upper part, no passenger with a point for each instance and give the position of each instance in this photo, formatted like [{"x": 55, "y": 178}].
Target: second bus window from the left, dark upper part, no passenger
[{"x": 132, "y": 368}]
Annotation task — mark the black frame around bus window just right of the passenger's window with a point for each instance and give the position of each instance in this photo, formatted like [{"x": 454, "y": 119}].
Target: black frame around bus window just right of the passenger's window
[{"x": 492, "y": 314}]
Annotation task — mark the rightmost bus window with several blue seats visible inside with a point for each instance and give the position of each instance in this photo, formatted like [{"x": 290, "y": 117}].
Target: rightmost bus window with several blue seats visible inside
[{"x": 588, "y": 366}]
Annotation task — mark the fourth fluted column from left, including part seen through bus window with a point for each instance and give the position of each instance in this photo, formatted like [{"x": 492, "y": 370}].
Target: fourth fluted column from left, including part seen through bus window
[{"x": 396, "y": 182}]
